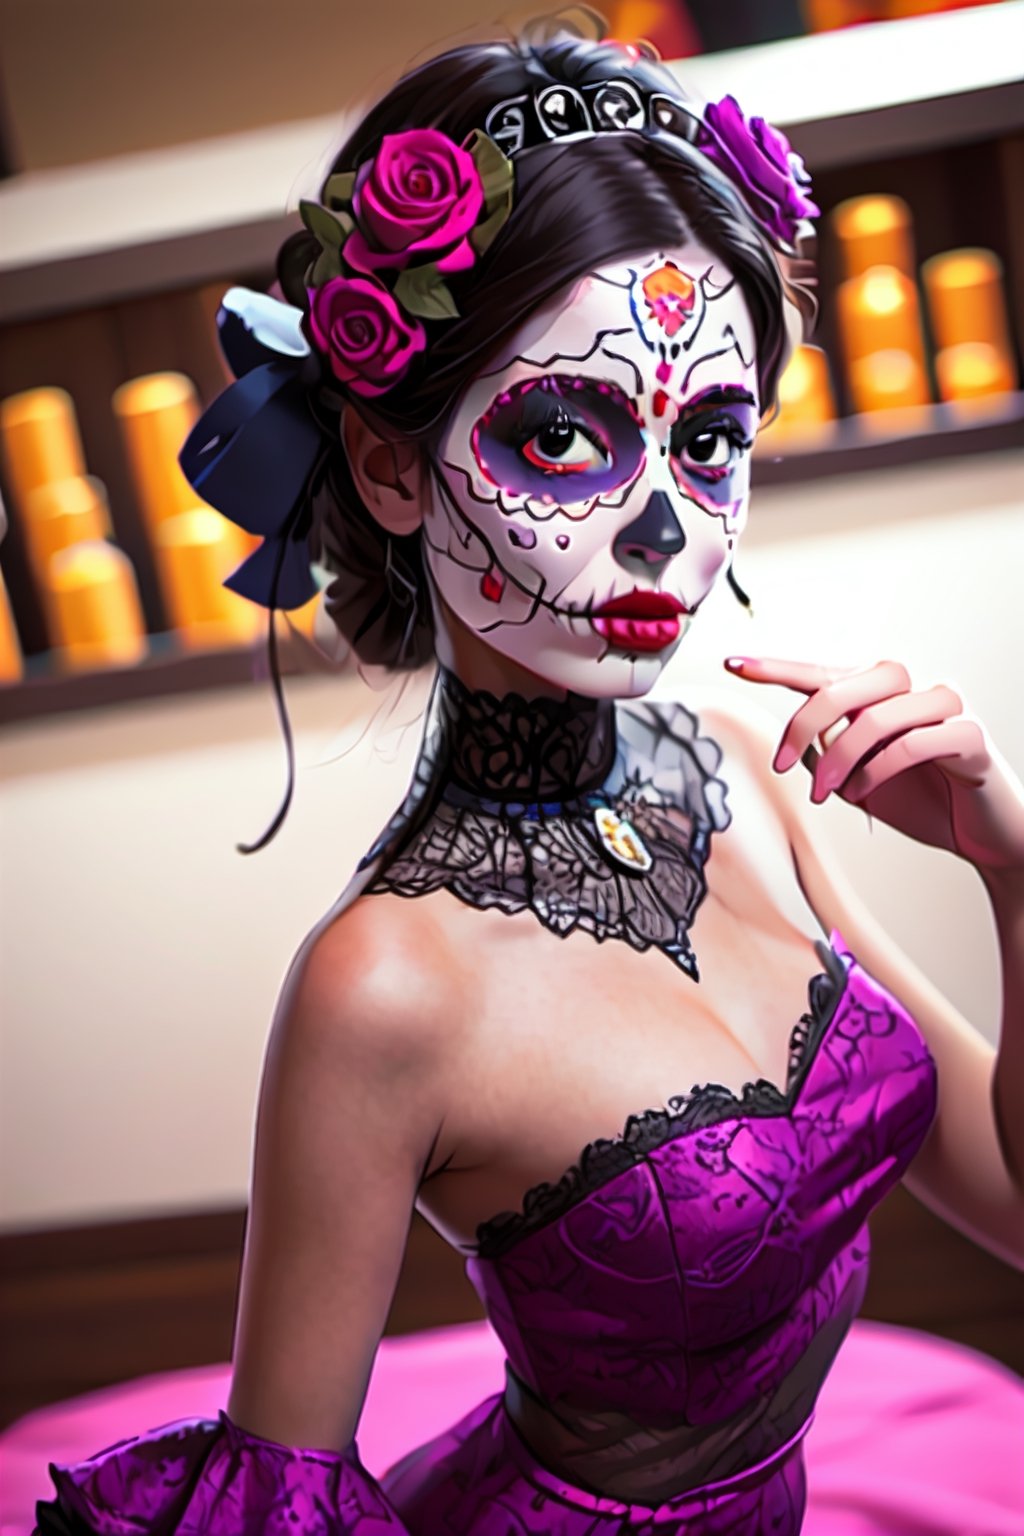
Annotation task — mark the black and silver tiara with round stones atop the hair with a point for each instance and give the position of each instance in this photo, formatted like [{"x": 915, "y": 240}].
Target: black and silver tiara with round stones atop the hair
[{"x": 567, "y": 113}]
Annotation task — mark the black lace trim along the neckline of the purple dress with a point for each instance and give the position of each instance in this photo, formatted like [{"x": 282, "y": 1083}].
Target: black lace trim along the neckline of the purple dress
[{"x": 705, "y": 1105}]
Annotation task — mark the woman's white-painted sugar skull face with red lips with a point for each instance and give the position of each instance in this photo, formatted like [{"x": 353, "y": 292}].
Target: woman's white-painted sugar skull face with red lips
[{"x": 593, "y": 482}]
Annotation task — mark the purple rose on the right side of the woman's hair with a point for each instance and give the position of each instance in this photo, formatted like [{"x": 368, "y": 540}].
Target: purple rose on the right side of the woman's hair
[{"x": 761, "y": 164}]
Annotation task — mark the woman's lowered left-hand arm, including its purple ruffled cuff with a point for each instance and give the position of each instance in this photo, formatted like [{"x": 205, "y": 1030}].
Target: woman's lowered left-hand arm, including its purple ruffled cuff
[{"x": 349, "y": 1113}]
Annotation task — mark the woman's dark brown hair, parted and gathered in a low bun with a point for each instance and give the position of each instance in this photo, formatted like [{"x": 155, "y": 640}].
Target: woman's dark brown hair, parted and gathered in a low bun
[{"x": 576, "y": 208}]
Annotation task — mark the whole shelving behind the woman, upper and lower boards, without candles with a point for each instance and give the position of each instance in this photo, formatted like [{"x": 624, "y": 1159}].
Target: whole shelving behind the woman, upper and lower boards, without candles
[{"x": 114, "y": 270}]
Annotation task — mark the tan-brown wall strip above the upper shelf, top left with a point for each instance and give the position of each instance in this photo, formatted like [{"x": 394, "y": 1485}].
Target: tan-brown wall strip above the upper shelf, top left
[{"x": 87, "y": 79}]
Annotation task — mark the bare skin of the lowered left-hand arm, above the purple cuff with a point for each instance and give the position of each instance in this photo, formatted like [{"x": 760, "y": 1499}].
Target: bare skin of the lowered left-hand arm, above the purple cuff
[{"x": 349, "y": 1111}]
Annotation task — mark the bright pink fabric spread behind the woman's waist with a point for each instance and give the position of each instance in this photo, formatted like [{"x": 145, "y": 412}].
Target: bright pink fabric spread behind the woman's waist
[{"x": 913, "y": 1437}]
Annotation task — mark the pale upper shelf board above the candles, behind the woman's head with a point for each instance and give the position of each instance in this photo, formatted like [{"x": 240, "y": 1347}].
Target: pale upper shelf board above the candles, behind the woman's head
[{"x": 188, "y": 216}]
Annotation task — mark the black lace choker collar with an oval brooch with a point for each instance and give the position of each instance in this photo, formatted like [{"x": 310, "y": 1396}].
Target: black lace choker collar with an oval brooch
[{"x": 590, "y": 815}]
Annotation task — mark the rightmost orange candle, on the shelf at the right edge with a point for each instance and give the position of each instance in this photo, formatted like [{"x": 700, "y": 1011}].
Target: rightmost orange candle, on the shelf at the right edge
[{"x": 969, "y": 320}]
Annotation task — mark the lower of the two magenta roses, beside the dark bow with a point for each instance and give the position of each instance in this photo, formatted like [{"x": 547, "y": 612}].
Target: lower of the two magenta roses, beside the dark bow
[{"x": 368, "y": 340}]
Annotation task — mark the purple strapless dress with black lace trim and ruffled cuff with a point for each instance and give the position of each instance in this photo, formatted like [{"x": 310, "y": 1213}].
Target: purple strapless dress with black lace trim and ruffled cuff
[{"x": 670, "y": 1311}]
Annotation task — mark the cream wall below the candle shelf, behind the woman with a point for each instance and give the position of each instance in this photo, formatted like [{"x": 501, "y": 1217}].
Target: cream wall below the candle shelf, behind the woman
[{"x": 140, "y": 955}]
